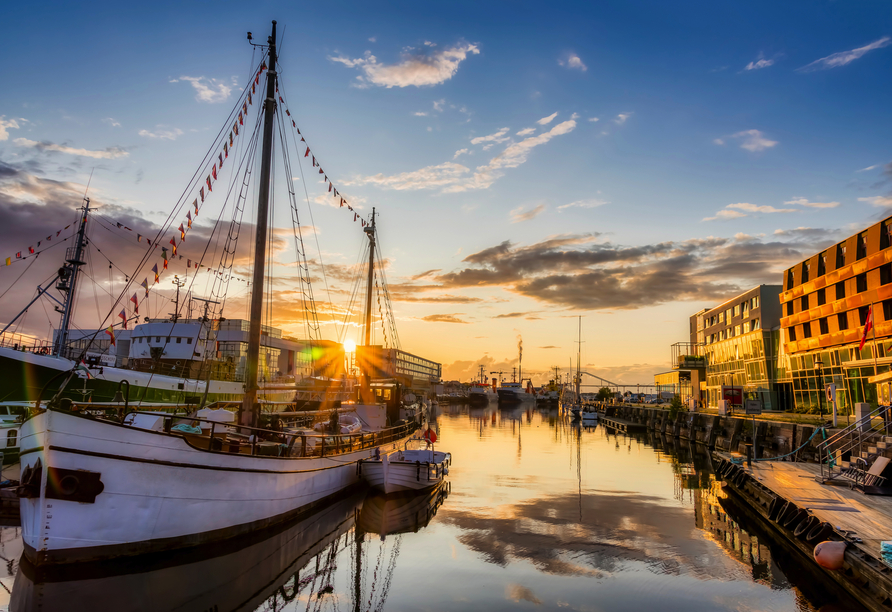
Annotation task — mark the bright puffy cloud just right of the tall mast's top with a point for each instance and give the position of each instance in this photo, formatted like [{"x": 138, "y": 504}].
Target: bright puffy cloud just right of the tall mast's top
[{"x": 418, "y": 68}]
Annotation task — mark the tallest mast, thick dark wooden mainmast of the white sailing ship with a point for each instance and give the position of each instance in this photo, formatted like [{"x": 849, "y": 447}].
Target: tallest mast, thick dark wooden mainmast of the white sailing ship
[{"x": 250, "y": 411}]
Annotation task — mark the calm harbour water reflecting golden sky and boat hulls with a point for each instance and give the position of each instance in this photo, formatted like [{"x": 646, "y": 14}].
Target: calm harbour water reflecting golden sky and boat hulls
[{"x": 537, "y": 514}]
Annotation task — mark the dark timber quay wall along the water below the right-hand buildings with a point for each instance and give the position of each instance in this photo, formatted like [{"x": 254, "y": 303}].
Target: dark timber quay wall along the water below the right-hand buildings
[{"x": 726, "y": 433}]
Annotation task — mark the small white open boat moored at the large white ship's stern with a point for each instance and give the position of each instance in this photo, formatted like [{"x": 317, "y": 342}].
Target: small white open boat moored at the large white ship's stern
[{"x": 407, "y": 469}]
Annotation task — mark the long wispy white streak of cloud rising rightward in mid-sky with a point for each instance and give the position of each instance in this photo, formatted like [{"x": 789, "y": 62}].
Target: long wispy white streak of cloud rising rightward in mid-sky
[{"x": 451, "y": 177}]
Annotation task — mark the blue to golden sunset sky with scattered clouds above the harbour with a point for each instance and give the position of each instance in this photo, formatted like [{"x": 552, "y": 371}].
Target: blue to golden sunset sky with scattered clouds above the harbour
[{"x": 629, "y": 163}]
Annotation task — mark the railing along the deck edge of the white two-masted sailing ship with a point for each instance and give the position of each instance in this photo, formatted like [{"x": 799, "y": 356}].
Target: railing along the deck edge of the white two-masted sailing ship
[{"x": 274, "y": 443}]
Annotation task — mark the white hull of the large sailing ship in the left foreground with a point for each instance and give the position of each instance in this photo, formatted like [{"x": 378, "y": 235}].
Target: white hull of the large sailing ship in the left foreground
[{"x": 157, "y": 492}]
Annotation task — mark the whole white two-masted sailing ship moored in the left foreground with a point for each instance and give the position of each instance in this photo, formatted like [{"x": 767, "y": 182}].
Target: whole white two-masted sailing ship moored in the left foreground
[{"x": 100, "y": 485}]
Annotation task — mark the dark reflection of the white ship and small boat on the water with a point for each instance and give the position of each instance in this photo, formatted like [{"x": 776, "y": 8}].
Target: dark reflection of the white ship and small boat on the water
[{"x": 296, "y": 563}]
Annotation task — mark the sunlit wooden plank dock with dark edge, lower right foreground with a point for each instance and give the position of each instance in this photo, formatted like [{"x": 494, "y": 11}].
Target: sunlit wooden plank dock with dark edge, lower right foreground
[{"x": 768, "y": 484}]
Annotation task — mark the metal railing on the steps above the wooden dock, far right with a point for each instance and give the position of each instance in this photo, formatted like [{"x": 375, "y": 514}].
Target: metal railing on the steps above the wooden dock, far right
[{"x": 851, "y": 441}]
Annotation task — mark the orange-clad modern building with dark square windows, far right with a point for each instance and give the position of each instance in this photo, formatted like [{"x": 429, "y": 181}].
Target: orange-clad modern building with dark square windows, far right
[{"x": 826, "y": 300}]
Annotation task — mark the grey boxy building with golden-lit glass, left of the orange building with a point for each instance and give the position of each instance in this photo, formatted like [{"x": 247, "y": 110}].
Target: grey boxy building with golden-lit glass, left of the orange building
[{"x": 736, "y": 344}]
